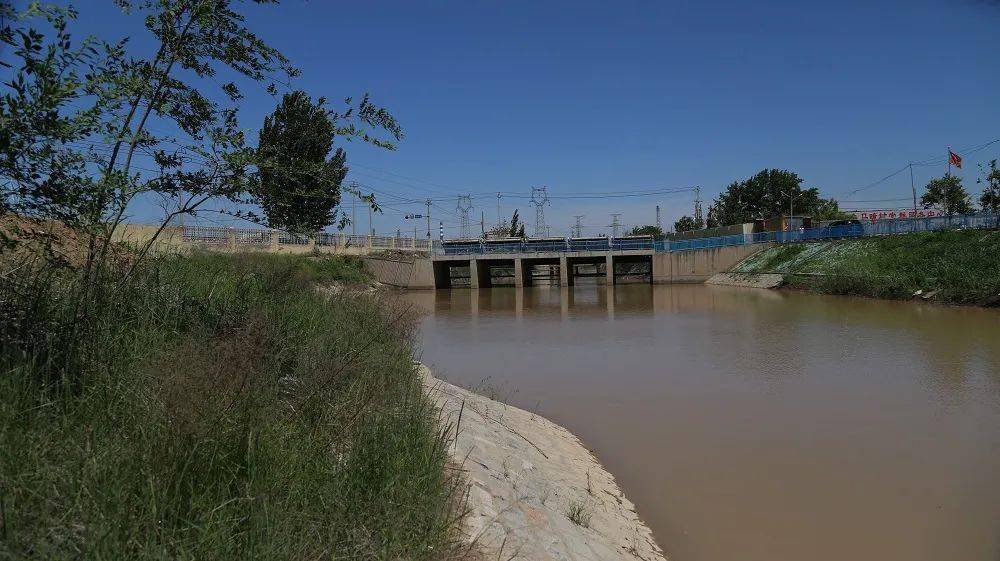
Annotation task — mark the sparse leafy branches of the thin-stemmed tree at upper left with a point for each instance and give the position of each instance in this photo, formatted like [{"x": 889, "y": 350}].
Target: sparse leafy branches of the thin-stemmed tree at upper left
[{"x": 81, "y": 140}]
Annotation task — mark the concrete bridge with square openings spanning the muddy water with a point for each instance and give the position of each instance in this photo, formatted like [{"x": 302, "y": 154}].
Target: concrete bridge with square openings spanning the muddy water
[{"x": 481, "y": 270}]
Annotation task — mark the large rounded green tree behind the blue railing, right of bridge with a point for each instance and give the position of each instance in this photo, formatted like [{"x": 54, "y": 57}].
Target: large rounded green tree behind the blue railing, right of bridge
[{"x": 767, "y": 194}]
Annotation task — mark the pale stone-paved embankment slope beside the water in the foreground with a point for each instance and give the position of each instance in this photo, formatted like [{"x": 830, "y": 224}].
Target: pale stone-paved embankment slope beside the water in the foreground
[{"x": 535, "y": 492}]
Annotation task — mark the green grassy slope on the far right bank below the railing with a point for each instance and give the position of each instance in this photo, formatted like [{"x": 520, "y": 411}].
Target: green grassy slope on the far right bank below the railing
[{"x": 963, "y": 265}]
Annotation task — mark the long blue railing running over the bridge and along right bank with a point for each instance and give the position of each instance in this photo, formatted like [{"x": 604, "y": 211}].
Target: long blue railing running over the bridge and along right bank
[{"x": 866, "y": 229}]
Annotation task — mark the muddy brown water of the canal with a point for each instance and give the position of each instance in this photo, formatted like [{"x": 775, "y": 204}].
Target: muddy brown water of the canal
[{"x": 751, "y": 424}]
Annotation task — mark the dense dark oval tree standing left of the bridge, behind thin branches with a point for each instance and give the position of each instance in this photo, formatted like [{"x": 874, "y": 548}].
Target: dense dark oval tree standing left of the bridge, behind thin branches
[{"x": 299, "y": 188}]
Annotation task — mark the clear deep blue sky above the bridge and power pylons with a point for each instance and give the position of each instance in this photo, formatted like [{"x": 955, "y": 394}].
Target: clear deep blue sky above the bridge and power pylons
[{"x": 594, "y": 97}]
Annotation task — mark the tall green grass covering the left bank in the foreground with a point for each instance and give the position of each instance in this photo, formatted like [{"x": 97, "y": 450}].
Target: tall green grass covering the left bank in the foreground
[{"x": 216, "y": 407}]
